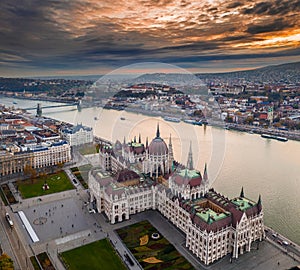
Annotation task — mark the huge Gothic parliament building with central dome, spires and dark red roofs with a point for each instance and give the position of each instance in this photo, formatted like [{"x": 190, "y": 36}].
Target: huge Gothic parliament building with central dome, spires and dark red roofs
[{"x": 136, "y": 177}]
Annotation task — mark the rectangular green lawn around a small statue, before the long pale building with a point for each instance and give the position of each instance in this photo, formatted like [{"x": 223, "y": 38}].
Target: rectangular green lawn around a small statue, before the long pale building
[{"x": 34, "y": 187}]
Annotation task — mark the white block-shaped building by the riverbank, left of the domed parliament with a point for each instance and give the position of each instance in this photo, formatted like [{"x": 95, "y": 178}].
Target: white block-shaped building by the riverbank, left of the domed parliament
[{"x": 78, "y": 135}]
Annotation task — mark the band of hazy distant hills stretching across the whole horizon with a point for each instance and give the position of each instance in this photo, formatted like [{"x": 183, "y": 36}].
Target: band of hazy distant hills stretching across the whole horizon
[{"x": 288, "y": 73}]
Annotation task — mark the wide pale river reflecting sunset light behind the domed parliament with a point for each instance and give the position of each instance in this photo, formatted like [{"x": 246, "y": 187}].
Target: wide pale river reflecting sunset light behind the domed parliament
[{"x": 235, "y": 159}]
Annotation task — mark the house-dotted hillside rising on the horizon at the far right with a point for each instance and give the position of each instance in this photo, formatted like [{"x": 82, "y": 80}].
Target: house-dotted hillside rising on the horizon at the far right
[{"x": 284, "y": 73}]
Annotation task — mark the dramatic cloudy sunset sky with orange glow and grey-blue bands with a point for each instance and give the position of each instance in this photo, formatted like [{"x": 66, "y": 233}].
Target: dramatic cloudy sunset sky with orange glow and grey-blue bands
[{"x": 61, "y": 37}]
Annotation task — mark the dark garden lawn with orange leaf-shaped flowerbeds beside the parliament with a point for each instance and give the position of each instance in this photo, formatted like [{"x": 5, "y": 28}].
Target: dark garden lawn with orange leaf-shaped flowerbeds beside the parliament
[{"x": 166, "y": 255}]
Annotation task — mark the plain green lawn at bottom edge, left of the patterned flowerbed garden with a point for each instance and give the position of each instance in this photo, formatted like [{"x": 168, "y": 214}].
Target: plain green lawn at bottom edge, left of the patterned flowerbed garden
[{"x": 98, "y": 255}]
